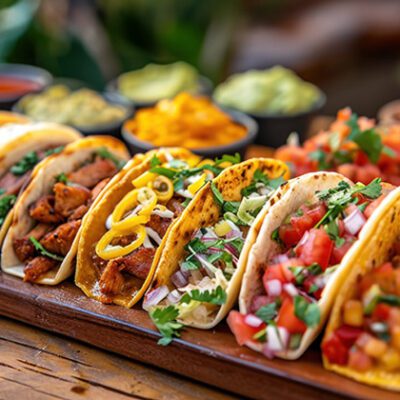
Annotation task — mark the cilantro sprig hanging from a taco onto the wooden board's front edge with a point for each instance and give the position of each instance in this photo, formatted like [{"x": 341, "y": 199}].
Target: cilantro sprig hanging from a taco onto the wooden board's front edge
[{"x": 165, "y": 321}]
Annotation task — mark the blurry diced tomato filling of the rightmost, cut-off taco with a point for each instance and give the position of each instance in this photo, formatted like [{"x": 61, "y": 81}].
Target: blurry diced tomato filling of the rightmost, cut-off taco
[{"x": 369, "y": 334}]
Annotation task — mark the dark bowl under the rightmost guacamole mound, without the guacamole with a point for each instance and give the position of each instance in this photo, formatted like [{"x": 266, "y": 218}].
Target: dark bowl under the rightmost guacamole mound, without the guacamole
[{"x": 273, "y": 130}]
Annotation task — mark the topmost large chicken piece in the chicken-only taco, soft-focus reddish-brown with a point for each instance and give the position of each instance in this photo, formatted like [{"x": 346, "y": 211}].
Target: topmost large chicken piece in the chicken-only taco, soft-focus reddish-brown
[{"x": 91, "y": 174}]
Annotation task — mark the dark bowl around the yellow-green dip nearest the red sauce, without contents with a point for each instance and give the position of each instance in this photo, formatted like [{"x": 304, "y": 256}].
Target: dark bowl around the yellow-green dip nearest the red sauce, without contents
[{"x": 113, "y": 129}]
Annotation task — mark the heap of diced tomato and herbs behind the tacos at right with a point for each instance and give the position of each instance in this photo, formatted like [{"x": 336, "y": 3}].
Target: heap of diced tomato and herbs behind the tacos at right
[{"x": 352, "y": 146}]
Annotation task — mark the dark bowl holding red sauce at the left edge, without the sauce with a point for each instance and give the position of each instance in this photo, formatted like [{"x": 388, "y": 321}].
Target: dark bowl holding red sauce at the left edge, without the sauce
[{"x": 39, "y": 77}]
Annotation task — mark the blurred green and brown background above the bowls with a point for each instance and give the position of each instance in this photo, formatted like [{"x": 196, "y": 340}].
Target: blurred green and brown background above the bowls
[{"x": 350, "y": 48}]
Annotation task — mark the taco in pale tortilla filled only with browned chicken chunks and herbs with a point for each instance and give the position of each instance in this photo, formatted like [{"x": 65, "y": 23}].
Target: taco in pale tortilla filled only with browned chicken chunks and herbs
[{"x": 41, "y": 243}]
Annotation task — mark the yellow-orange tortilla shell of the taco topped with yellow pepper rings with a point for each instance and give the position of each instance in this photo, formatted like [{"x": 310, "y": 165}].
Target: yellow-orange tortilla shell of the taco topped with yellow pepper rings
[{"x": 93, "y": 228}]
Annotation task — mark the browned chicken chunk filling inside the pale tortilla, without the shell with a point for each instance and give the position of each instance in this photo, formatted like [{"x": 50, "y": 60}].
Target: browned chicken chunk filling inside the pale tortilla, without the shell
[{"x": 58, "y": 215}]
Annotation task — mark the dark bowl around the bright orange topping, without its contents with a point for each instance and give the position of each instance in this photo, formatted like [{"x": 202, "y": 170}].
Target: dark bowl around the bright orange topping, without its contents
[{"x": 138, "y": 146}]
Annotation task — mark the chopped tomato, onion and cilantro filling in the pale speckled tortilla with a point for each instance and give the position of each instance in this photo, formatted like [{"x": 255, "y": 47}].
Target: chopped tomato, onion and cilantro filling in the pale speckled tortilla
[{"x": 313, "y": 241}]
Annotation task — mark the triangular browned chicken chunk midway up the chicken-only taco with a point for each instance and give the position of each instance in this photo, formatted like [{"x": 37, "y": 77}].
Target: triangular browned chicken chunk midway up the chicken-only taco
[{"x": 69, "y": 198}]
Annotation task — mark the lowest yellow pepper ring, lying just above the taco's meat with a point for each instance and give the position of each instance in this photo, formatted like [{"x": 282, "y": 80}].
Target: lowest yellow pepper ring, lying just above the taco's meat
[{"x": 108, "y": 252}]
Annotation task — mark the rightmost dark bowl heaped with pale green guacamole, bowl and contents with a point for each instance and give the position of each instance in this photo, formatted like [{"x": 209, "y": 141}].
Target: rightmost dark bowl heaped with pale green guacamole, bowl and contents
[{"x": 279, "y": 100}]
